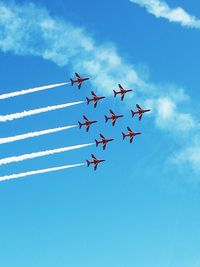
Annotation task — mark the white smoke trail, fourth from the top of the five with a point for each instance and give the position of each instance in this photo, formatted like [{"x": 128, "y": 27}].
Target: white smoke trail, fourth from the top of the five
[{"x": 41, "y": 153}]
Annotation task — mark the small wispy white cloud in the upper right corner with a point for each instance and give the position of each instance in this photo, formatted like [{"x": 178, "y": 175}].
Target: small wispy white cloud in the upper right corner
[{"x": 161, "y": 9}]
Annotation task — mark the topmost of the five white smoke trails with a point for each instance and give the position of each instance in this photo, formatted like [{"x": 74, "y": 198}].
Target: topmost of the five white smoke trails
[{"x": 31, "y": 90}]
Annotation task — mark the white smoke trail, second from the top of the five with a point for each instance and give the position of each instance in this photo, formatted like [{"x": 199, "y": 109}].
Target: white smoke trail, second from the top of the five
[{"x": 19, "y": 115}]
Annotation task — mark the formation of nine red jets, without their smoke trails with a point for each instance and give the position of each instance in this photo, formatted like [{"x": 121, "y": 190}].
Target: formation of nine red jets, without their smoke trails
[{"x": 113, "y": 117}]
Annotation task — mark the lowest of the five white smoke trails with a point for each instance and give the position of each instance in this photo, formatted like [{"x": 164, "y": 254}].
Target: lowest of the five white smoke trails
[{"x": 24, "y": 174}]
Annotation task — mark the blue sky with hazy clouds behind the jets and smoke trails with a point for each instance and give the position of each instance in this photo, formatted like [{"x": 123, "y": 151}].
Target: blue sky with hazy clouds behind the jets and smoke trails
[{"x": 142, "y": 205}]
